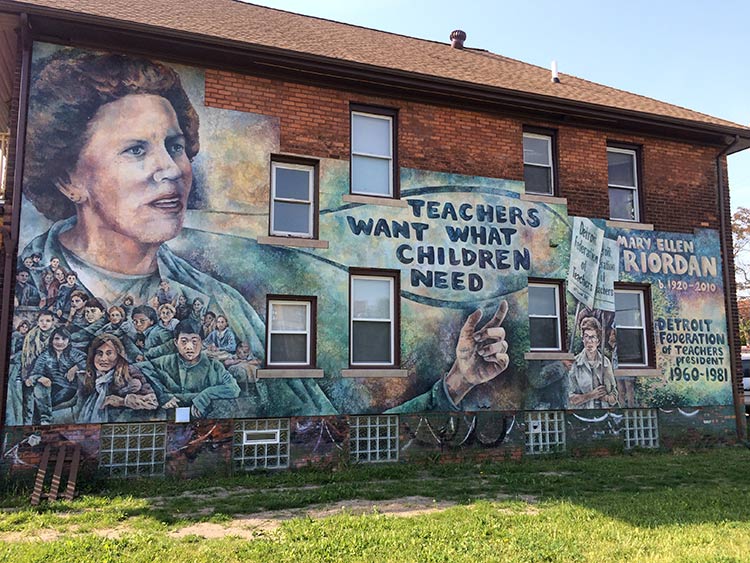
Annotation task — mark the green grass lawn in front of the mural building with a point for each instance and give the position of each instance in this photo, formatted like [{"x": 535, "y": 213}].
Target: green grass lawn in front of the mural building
[{"x": 640, "y": 507}]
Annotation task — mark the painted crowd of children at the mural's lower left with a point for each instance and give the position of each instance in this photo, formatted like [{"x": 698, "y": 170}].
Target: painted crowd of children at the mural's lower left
[{"x": 73, "y": 359}]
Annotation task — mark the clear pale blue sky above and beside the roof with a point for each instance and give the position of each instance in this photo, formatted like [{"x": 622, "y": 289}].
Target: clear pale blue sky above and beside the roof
[{"x": 689, "y": 53}]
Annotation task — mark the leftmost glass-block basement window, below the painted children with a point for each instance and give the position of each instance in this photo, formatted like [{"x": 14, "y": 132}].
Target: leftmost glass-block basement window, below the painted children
[{"x": 132, "y": 450}]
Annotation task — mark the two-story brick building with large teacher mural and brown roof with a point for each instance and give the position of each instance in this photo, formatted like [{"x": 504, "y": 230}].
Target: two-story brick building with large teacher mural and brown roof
[{"x": 236, "y": 237}]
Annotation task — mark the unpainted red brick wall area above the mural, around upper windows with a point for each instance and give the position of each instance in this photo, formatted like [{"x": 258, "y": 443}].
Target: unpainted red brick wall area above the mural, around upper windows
[{"x": 679, "y": 179}]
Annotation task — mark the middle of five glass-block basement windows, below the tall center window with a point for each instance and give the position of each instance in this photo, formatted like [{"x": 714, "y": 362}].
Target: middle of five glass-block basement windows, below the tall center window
[{"x": 373, "y": 439}]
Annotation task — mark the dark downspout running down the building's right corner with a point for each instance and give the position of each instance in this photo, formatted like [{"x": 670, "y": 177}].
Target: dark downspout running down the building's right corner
[{"x": 739, "y": 411}]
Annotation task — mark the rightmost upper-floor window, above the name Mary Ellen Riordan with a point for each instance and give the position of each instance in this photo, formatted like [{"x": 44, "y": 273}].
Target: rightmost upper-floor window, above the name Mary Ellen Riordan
[{"x": 622, "y": 171}]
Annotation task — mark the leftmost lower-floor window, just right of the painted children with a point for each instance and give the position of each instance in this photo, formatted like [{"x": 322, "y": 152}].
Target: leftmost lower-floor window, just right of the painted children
[{"x": 290, "y": 338}]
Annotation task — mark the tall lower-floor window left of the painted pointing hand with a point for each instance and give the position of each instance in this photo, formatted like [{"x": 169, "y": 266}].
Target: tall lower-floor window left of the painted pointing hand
[{"x": 373, "y": 330}]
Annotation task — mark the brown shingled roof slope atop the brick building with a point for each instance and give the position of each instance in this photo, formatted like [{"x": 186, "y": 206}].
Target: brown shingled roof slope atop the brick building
[{"x": 231, "y": 20}]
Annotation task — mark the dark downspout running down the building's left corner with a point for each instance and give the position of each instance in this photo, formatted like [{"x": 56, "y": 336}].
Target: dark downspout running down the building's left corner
[{"x": 10, "y": 235}]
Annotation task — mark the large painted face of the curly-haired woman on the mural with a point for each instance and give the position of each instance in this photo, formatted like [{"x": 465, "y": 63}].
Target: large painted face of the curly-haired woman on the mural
[{"x": 133, "y": 175}]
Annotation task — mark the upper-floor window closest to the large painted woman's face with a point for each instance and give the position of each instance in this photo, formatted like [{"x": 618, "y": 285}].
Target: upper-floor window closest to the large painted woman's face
[{"x": 292, "y": 199}]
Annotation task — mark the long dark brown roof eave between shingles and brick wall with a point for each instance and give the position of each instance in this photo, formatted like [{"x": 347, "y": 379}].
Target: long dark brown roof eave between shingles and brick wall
[{"x": 73, "y": 27}]
